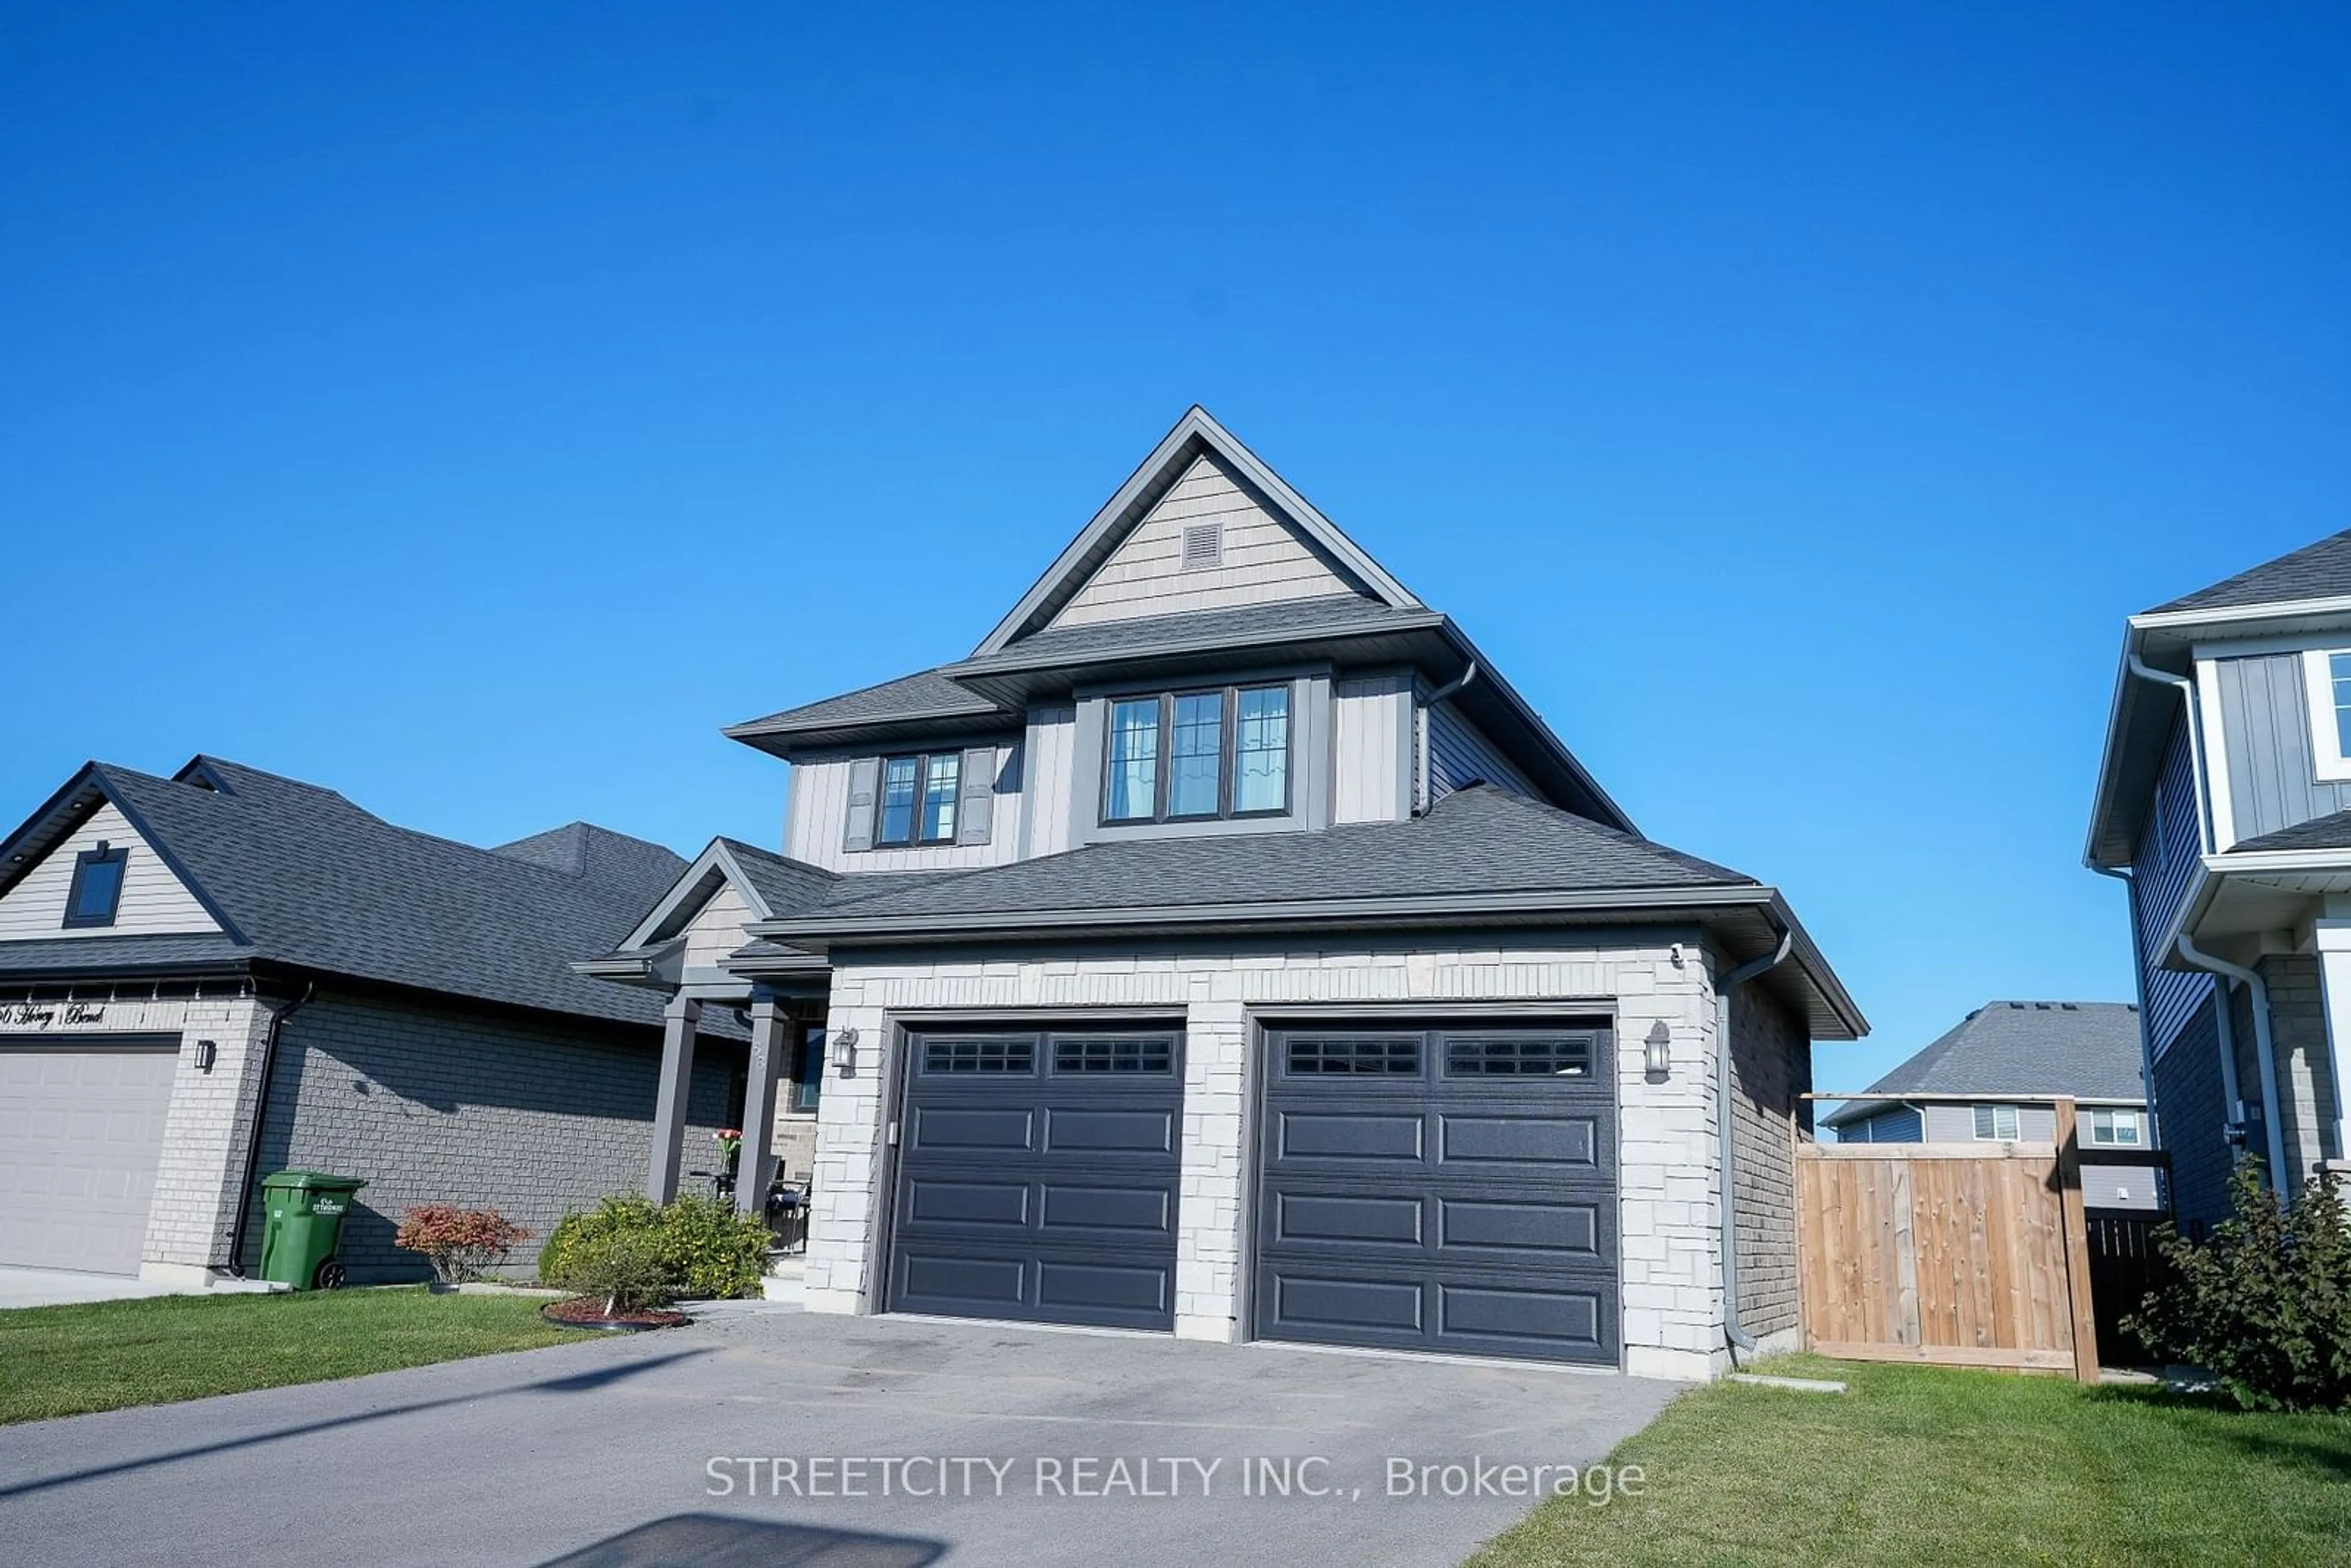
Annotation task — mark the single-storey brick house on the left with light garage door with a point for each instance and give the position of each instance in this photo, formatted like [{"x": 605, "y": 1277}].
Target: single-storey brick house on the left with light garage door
[{"x": 227, "y": 972}]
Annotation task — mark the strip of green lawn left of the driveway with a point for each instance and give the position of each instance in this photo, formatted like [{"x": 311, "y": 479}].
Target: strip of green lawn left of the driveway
[{"x": 142, "y": 1353}]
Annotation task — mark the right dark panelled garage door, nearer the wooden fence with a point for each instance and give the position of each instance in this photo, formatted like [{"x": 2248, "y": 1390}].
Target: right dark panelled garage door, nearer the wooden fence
[{"x": 1440, "y": 1188}]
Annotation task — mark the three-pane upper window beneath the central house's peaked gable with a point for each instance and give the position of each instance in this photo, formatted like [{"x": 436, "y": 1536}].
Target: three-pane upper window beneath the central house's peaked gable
[{"x": 1198, "y": 756}]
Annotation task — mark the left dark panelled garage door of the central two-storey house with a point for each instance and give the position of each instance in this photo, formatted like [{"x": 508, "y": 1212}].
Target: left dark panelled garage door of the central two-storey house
[{"x": 1038, "y": 1177}]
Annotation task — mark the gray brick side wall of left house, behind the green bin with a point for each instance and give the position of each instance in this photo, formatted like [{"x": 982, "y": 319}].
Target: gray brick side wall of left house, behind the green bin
[{"x": 453, "y": 1106}]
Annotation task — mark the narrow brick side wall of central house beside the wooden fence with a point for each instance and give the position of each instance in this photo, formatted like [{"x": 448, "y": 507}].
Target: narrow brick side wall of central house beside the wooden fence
[{"x": 1771, "y": 1064}]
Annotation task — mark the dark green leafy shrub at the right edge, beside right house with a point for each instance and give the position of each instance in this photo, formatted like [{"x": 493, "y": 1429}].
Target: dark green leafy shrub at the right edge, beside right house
[{"x": 2268, "y": 1301}]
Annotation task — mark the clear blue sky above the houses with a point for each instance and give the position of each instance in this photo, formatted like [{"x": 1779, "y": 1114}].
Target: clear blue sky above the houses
[{"x": 478, "y": 408}]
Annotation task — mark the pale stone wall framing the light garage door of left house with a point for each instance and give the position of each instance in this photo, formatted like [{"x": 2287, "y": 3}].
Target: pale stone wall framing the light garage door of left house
[{"x": 208, "y": 1127}]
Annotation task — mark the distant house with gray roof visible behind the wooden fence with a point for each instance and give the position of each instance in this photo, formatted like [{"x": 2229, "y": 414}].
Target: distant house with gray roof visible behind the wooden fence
[{"x": 1995, "y": 1078}]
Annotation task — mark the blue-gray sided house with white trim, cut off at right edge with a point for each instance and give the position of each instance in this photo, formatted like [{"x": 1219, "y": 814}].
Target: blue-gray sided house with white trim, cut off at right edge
[{"x": 2225, "y": 803}]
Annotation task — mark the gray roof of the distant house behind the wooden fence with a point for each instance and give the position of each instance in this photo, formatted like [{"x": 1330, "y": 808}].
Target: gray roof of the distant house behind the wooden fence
[{"x": 2087, "y": 1050}]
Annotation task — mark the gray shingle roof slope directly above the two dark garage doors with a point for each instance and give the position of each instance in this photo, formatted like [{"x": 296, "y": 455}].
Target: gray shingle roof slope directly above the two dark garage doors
[{"x": 1475, "y": 840}]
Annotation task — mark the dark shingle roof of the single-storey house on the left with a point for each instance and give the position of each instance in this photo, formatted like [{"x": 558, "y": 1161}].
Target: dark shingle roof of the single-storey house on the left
[{"x": 316, "y": 883}]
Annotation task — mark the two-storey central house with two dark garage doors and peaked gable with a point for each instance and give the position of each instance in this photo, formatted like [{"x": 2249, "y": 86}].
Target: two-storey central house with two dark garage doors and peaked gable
[{"x": 1228, "y": 949}]
